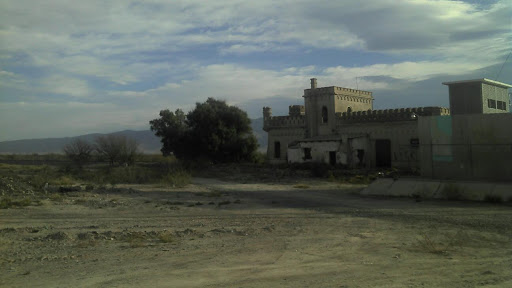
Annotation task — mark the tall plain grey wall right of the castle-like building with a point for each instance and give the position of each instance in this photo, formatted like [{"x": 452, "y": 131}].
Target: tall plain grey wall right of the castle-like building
[{"x": 469, "y": 147}]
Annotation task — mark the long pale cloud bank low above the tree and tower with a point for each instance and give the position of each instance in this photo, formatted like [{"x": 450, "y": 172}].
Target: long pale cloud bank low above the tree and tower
[{"x": 239, "y": 84}]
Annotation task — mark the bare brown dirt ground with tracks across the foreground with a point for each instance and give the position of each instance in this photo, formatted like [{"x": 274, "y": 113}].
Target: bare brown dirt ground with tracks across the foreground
[{"x": 225, "y": 234}]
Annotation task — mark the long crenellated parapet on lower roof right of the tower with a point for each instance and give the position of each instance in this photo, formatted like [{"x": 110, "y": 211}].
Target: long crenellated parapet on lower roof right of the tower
[{"x": 386, "y": 115}]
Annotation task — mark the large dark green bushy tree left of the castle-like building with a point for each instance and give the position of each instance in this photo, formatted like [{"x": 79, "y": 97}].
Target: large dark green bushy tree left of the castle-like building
[{"x": 213, "y": 130}]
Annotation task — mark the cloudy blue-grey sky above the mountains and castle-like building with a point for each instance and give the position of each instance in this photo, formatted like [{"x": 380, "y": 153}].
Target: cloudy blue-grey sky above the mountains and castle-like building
[{"x": 69, "y": 68}]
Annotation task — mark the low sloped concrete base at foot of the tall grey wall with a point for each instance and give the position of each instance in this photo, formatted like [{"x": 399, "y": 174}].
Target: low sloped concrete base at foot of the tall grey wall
[{"x": 436, "y": 189}]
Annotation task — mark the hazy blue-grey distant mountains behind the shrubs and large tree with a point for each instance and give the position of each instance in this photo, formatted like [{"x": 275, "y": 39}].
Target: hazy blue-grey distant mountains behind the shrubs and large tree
[{"x": 147, "y": 140}]
